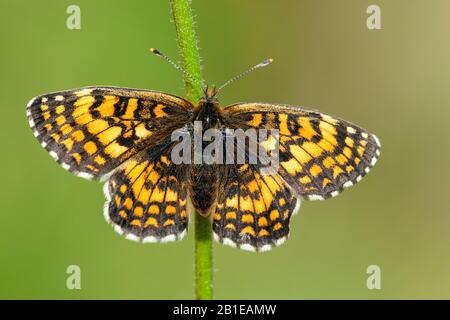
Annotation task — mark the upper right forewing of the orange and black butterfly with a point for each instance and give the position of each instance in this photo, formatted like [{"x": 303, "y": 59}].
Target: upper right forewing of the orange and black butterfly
[{"x": 319, "y": 155}]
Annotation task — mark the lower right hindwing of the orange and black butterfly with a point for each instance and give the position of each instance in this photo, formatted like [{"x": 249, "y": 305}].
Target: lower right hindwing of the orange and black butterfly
[{"x": 253, "y": 210}]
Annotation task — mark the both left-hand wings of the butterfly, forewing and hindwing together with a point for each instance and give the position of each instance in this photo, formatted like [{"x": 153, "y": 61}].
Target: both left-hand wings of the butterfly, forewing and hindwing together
[{"x": 106, "y": 133}]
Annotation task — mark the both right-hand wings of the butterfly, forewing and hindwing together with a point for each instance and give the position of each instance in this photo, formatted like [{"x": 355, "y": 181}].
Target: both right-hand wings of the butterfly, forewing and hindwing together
[{"x": 319, "y": 156}]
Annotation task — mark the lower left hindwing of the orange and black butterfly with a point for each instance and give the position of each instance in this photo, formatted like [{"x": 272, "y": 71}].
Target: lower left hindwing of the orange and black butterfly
[{"x": 147, "y": 198}]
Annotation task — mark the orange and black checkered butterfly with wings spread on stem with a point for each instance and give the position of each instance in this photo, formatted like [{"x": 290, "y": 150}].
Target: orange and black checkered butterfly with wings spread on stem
[{"x": 123, "y": 136}]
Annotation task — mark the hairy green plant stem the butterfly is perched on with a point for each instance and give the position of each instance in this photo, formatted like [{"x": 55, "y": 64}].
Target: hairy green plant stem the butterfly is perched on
[{"x": 190, "y": 61}]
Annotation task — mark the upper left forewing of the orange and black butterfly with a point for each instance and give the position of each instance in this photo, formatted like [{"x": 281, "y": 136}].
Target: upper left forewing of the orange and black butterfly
[{"x": 91, "y": 131}]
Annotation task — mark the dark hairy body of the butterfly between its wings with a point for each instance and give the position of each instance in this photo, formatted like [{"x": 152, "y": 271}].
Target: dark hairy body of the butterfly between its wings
[{"x": 204, "y": 178}]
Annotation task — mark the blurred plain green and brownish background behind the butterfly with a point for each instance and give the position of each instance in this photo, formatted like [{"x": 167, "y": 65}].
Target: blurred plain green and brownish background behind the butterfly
[{"x": 394, "y": 82}]
